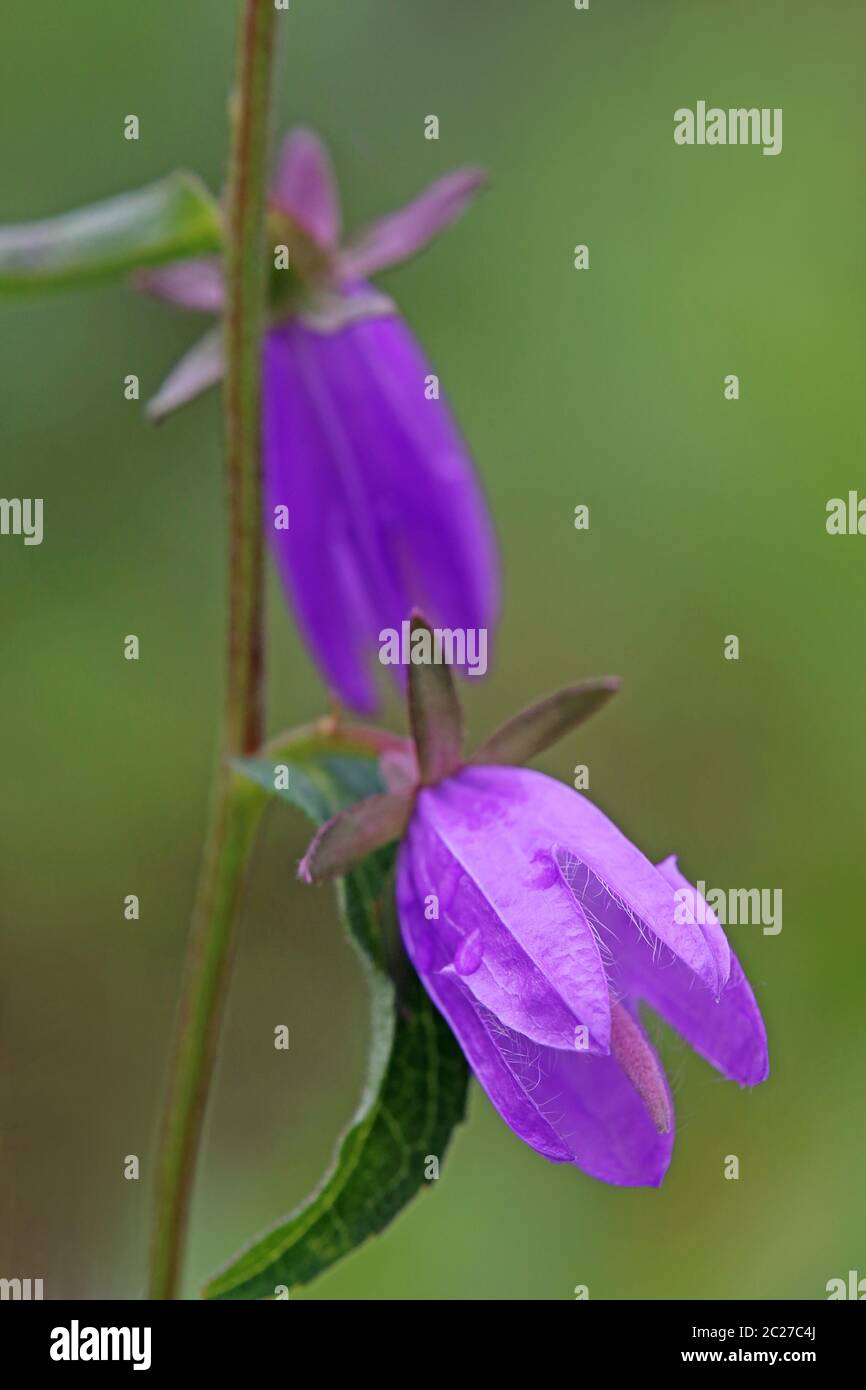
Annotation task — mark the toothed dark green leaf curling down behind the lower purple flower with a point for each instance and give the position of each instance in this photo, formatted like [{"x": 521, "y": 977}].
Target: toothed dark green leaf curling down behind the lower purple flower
[{"x": 418, "y": 1078}]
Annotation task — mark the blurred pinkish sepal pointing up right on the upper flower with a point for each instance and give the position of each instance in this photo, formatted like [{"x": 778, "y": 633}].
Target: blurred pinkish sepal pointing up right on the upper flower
[{"x": 405, "y": 233}]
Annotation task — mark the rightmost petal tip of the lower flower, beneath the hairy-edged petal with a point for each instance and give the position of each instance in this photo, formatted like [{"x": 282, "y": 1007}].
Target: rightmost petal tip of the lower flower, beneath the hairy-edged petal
[{"x": 729, "y": 1032}]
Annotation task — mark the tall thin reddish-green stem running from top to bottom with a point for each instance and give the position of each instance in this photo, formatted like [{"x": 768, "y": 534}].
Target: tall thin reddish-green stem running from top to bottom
[{"x": 237, "y": 806}]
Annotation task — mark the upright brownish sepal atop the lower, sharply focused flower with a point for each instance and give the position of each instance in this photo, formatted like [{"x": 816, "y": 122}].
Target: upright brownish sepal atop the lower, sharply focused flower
[{"x": 434, "y": 710}]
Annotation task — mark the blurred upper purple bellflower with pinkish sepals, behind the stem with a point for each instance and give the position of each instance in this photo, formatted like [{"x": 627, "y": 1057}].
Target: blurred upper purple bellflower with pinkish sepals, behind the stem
[{"x": 384, "y": 509}]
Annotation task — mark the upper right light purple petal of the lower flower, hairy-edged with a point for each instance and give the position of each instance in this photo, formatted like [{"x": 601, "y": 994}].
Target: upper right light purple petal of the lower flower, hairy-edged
[{"x": 541, "y": 815}]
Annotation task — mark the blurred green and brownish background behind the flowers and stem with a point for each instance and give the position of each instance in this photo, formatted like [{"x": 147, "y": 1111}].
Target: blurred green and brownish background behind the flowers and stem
[{"x": 707, "y": 518}]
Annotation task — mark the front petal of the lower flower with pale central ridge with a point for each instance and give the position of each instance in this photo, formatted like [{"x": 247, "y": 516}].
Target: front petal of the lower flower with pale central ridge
[{"x": 541, "y": 970}]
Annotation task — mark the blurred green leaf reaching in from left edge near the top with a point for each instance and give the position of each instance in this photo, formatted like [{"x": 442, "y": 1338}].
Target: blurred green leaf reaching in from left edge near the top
[{"x": 166, "y": 222}]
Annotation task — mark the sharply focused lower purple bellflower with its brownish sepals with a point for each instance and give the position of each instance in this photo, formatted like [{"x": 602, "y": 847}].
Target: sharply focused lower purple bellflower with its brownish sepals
[{"x": 537, "y": 928}]
